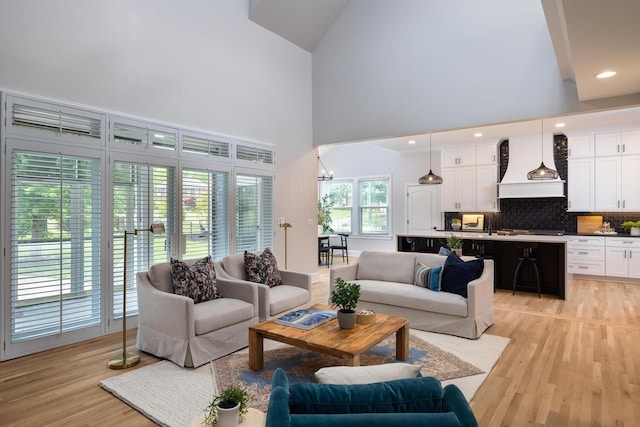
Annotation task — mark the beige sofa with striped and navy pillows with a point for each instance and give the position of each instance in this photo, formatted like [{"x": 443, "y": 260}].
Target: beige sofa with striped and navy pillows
[{"x": 386, "y": 286}]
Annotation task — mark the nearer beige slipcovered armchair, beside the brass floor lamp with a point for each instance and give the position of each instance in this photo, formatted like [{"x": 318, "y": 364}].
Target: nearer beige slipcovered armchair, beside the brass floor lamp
[{"x": 173, "y": 327}]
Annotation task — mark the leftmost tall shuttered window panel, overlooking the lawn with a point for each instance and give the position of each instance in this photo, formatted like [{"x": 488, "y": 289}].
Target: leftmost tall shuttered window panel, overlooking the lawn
[{"x": 55, "y": 244}]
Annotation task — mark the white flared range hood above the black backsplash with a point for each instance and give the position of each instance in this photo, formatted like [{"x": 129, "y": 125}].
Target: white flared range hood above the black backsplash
[{"x": 524, "y": 155}]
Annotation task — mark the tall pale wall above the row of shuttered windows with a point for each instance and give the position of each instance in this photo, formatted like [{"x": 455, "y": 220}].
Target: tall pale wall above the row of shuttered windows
[{"x": 197, "y": 63}]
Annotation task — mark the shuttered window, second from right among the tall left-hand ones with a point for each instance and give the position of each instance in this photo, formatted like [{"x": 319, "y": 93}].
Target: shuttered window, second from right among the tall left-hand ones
[{"x": 205, "y": 213}]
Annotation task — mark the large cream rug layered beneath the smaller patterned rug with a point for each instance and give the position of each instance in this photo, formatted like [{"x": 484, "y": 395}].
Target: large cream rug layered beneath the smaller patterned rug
[{"x": 174, "y": 396}]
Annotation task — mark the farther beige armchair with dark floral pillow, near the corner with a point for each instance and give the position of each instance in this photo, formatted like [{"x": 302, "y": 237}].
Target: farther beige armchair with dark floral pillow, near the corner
[{"x": 293, "y": 293}]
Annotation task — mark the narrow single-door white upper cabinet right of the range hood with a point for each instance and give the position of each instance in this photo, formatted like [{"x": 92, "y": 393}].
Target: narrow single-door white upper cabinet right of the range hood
[{"x": 581, "y": 185}]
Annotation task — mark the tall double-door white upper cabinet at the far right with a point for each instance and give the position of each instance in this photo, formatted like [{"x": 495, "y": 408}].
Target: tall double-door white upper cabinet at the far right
[{"x": 616, "y": 183}]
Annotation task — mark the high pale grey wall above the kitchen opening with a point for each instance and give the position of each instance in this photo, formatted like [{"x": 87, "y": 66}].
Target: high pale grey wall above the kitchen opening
[{"x": 401, "y": 67}]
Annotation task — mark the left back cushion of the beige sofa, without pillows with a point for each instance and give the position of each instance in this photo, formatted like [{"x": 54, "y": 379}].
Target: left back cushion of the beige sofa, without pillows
[{"x": 388, "y": 266}]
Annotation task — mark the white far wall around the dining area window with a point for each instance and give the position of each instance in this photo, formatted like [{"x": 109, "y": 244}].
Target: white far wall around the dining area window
[{"x": 366, "y": 159}]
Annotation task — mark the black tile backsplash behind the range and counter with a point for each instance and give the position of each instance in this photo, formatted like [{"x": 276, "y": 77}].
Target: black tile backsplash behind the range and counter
[{"x": 542, "y": 213}]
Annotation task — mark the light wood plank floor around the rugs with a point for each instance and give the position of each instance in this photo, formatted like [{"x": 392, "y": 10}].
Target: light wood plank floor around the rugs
[{"x": 574, "y": 363}]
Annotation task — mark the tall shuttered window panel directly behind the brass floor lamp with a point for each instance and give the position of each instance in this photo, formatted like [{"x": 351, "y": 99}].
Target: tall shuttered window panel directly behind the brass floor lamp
[{"x": 143, "y": 194}]
